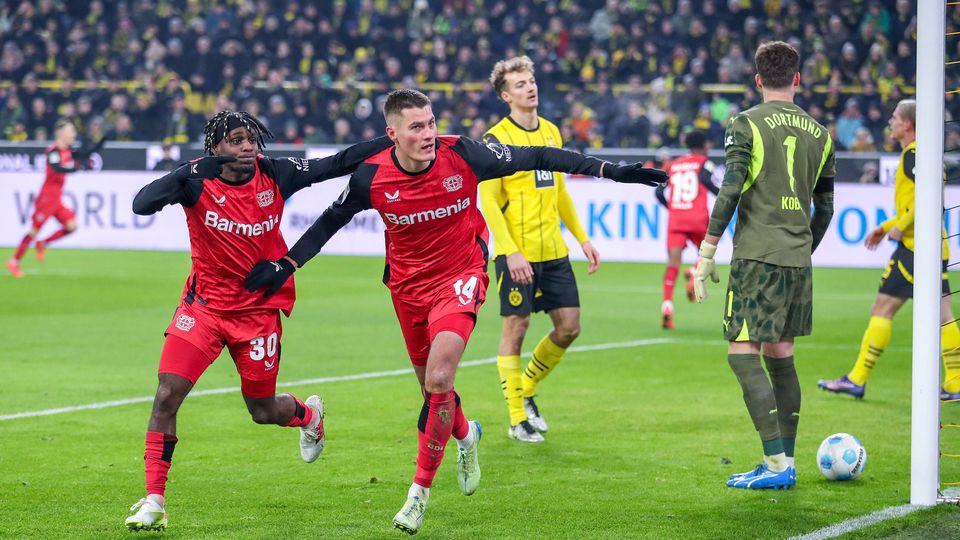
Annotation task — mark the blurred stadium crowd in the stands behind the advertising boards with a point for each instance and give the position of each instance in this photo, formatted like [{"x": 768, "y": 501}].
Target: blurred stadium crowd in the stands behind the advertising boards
[{"x": 615, "y": 73}]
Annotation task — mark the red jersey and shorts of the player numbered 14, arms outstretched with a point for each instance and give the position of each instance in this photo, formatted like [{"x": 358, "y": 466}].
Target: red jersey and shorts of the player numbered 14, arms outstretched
[{"x": 436, "y": 237}]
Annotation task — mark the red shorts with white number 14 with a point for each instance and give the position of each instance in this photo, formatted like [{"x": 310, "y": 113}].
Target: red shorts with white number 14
[{"x": 421, "y": 321}]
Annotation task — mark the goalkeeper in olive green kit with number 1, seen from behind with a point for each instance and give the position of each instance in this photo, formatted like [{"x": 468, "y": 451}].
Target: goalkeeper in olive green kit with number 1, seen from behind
[{"x": 778, "y": 158}]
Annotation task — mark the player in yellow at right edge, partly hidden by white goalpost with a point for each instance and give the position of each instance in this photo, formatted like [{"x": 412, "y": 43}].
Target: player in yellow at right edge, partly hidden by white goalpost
[{"x": 896, "y": 283}]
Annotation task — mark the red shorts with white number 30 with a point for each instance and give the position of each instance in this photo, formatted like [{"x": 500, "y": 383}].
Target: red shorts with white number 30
[{"x": 252, "y": 337}]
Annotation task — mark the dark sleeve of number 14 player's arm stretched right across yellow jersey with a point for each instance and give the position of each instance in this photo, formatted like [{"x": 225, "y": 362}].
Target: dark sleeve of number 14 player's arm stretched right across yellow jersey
[{"x": 498, "y": 160}]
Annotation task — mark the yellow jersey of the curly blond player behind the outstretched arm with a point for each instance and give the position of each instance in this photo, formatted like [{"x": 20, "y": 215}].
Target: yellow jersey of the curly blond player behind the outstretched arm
[{"x": 524, "y": 210}]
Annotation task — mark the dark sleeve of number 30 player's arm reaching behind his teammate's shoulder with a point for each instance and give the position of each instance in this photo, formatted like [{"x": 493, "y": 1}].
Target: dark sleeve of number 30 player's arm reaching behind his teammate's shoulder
[{"x": 294, "y": 174}]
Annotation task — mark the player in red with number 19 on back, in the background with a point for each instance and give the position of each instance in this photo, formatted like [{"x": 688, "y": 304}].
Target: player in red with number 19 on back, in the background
[{"x": 690, "y": 179}]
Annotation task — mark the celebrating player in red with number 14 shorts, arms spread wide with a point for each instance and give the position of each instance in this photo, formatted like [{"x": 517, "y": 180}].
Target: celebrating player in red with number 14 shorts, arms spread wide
[{"x": 425, "y": 191}]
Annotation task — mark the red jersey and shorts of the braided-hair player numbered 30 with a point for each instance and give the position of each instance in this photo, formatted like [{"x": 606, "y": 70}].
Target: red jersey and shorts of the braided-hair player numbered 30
[{"x": 231, "y": 227}]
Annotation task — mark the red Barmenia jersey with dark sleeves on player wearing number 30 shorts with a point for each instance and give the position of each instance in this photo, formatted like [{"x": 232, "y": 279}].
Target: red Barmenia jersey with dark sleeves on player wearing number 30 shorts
[{"x": 234, "y": 226}]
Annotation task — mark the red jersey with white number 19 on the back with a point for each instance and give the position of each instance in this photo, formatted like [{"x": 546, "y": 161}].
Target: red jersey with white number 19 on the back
[{"x": 686, "y": 192}]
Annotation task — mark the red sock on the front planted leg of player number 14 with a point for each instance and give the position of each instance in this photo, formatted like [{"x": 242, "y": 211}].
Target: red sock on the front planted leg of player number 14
[{"x": 437, "y": 419}]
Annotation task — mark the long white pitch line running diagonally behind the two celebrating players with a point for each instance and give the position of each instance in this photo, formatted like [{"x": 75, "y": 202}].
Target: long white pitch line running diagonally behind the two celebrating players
[{"x": 319, "y": 380}]
